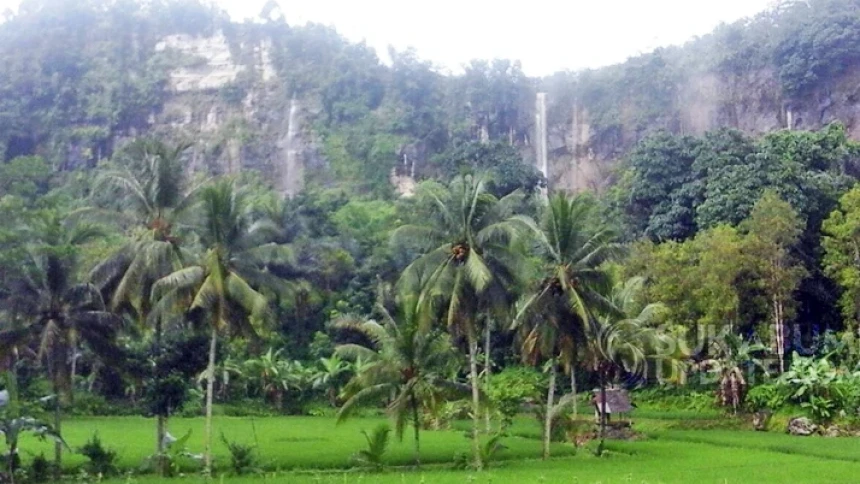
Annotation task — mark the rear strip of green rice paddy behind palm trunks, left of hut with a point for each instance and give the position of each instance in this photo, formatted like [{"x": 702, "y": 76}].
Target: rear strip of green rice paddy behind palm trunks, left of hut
[{"x": 282, "y": 443}]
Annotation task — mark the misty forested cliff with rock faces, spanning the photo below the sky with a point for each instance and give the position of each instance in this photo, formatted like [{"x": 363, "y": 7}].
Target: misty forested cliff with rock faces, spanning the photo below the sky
[{"x": 306, "y": 106}]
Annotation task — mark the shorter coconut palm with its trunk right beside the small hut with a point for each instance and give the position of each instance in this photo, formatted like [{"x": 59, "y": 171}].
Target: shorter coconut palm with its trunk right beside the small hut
[{"x": 624, "y": 338}]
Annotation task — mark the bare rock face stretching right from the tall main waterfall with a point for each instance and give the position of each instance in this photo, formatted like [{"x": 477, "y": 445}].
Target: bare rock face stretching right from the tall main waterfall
[{"x": 583, "y": 155}]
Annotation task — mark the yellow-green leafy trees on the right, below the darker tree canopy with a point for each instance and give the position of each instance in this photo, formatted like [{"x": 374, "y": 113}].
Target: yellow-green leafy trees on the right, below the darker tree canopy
[{"x": 726, "y": 276}]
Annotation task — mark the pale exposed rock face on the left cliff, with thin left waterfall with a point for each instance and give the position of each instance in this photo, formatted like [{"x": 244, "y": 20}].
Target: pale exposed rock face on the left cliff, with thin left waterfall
[{"x": 236, "y": 110}]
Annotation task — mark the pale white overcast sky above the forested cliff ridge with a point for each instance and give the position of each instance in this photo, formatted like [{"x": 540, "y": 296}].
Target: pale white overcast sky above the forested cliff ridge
[{"x": 545, "y": 35}]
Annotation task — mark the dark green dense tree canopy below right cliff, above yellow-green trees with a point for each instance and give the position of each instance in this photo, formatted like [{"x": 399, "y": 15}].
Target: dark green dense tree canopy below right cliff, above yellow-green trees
[{"x": 677, "y": 185}]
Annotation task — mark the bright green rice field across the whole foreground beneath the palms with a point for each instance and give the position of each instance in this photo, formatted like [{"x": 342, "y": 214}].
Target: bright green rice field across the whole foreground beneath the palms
[{"x": 314, "y": 450}]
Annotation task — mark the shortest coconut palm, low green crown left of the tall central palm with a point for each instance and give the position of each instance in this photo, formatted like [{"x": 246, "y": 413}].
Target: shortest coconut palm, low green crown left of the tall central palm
[{"x": 405, "y": 363}]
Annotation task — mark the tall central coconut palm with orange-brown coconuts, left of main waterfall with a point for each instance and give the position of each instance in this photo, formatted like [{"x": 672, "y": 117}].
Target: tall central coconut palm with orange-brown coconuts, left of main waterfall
[{"x": 469, "y": 255}]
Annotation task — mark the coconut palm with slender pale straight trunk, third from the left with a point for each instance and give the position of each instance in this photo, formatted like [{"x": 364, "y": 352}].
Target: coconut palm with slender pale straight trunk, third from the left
[{"x": 221, "y": 280}]
